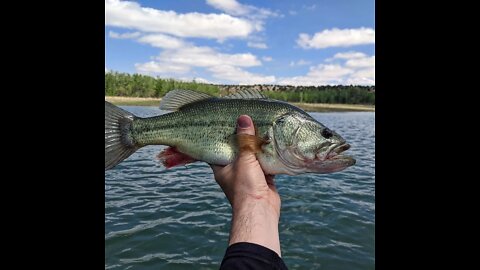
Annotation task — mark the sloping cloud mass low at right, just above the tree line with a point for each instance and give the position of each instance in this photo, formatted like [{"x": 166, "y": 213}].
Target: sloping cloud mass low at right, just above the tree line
[{"x": 350, "y": 68}]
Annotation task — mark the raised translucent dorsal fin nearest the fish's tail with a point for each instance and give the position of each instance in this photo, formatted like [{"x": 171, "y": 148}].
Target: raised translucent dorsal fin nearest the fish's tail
[{"x": 175, "y": 99}]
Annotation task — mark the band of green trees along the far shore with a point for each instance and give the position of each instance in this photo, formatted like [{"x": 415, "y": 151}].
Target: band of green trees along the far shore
[{"x": 137, "y": 85}]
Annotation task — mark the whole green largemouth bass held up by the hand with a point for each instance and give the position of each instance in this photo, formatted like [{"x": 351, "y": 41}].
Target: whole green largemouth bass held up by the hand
[{"x": 201, "y": 127}]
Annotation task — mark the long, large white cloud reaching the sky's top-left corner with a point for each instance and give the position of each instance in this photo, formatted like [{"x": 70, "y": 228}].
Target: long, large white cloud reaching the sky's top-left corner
[{"x": 131, "y": 15}]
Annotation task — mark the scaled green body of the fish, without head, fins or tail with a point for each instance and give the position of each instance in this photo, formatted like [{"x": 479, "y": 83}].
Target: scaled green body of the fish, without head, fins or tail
[{"x": 203, "y": 129}]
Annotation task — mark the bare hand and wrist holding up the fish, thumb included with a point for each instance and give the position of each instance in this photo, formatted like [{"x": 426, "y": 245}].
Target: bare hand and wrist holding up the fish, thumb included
[{"x": 252, "y": 194}]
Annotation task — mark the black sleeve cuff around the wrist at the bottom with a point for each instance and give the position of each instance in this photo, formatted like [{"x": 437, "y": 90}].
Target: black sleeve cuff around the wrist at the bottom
[{"x": 249, "y": 256}]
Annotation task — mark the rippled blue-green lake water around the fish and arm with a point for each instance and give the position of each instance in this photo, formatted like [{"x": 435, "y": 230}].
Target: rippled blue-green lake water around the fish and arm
[{"x": 180, "y": 219}]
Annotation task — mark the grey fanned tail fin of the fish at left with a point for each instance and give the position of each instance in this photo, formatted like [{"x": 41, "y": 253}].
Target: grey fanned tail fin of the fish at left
[{"x": 118, "y": 143}]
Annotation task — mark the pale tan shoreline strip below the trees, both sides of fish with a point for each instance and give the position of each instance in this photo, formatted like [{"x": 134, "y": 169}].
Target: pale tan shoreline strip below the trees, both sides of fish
[{"x": 309, "y": 107}]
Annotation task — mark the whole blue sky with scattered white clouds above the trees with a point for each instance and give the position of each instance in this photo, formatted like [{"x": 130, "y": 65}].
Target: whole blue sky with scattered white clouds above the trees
[{"x": 302, "y": 42}]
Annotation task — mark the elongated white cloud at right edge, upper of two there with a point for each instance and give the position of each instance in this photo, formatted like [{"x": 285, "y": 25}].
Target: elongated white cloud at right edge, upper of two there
[{"x": 337, "y": 38}]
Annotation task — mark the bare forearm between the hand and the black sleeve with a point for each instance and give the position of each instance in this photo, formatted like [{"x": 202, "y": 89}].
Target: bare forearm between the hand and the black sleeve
[{"x": 256, "y": 221}]
